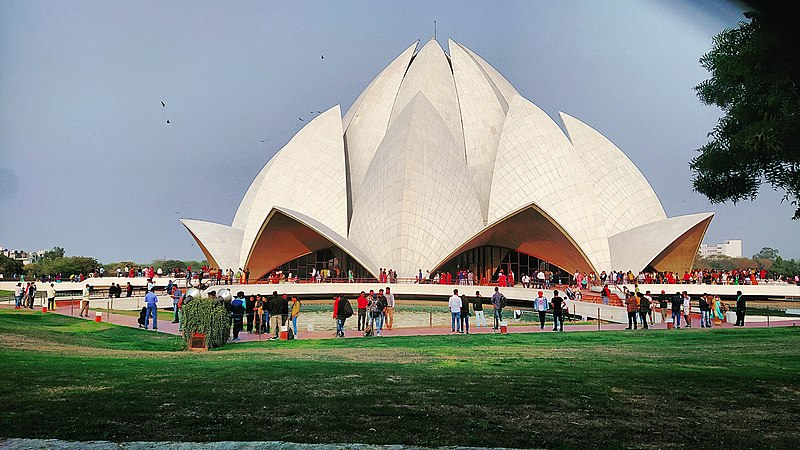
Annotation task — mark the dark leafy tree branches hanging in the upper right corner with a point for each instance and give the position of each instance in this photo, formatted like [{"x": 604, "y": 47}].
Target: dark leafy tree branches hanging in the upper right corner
[{"x": 755, "y": 79}]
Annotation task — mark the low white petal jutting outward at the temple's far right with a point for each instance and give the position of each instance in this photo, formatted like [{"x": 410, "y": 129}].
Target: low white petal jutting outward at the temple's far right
[{"x": 636, "y": 248}]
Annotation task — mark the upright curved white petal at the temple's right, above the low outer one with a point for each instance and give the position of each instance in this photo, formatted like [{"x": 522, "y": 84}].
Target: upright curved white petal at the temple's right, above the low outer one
[{"x": 626, "y": 198}]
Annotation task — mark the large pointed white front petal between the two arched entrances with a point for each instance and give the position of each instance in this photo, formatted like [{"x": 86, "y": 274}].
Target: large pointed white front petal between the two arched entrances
[{"x": 417, "y": 201}]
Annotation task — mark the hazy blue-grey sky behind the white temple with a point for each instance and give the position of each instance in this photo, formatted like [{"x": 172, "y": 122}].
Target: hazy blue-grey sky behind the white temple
[{"x": 88, "y": 162}]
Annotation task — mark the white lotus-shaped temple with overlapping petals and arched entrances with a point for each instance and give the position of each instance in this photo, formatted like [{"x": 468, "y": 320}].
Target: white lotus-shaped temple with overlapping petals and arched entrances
[{"x": 440, "y": 164}]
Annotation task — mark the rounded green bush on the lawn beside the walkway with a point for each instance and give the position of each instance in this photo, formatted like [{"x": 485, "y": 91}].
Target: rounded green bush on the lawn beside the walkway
[{"x": 208, "y": 317}]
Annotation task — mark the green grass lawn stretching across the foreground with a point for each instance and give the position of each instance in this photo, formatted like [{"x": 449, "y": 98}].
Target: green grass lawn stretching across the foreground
[{"x": 73, "y": 379}]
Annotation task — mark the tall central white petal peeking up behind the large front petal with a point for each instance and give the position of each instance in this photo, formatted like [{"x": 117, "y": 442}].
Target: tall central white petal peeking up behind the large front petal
[{"x": 430, "y": 74}]
